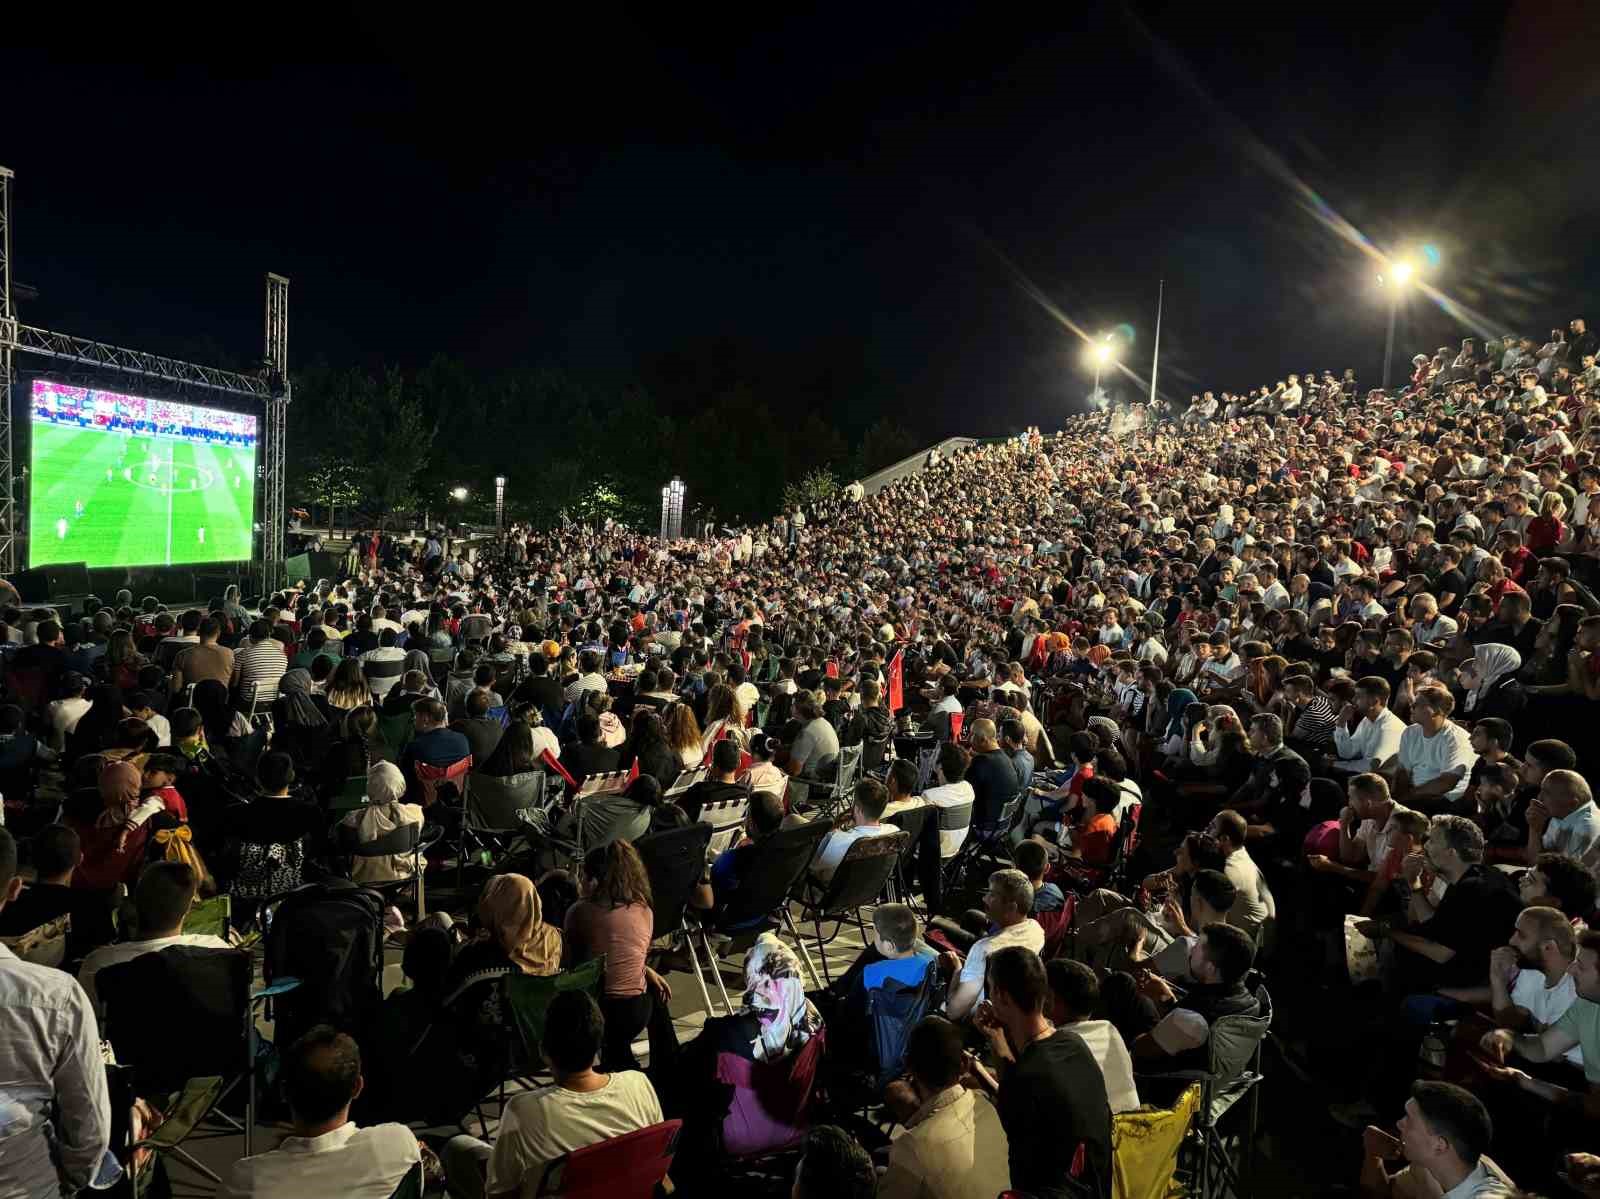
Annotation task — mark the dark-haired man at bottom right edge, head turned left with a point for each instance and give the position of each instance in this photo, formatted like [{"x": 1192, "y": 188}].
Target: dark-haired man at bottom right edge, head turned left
[{"x": 1444, "y": 1136}]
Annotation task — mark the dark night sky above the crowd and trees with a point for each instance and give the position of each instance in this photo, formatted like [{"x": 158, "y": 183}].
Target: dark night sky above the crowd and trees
[{"x": 866, "y": 180}]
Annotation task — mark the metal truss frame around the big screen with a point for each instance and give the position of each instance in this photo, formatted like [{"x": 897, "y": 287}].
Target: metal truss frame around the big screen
[{"x": 271, "y": 388}]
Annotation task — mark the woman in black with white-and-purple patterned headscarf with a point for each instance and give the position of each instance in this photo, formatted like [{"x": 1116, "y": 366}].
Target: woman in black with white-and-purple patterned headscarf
[{"x": 774, "y": 1024}]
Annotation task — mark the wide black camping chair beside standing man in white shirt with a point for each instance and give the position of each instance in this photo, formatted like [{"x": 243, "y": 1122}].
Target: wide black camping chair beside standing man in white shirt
[{"x": 207, "y": 995}]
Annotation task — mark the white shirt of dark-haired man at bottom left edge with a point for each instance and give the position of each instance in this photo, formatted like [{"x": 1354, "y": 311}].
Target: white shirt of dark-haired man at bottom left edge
[{"x": 350, "y": 1161}]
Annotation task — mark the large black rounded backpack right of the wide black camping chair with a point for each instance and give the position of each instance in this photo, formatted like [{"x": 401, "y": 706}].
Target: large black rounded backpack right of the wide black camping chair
[{"x": 330, "y": 936}]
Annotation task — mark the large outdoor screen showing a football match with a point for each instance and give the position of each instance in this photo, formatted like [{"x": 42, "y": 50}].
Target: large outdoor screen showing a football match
[{"x": 122, "y": 481}]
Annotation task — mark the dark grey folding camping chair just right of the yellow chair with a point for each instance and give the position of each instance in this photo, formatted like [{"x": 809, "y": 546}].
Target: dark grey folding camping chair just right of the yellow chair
[{"x": 1233, "y": 1075}]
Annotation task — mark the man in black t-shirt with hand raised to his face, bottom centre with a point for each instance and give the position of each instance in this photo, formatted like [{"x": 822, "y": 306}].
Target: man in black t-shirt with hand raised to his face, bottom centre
[{"x": 1050, "y": 1094}]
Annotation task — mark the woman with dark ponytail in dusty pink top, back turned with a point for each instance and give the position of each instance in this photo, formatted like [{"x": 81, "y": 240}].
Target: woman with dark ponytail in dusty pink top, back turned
[{"x": 614, "y": 920}]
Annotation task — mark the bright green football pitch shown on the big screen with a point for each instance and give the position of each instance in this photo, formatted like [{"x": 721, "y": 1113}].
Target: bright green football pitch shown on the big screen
[{"x": 118, "y": 499}]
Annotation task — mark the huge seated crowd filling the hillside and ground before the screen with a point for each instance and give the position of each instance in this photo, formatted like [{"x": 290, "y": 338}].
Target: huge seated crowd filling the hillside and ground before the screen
[{"x": 1274, "y": 710}]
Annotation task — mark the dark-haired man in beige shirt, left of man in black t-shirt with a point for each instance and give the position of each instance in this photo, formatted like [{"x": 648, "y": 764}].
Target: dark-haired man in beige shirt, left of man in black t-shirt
[{"x": 953, "y": 1147}]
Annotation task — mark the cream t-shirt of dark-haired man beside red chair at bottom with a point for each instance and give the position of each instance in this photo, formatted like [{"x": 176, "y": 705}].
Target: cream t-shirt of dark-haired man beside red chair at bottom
[{"x": 540, "y": 1126}]
